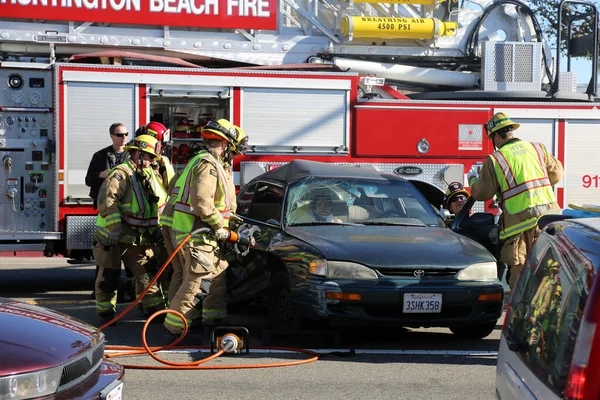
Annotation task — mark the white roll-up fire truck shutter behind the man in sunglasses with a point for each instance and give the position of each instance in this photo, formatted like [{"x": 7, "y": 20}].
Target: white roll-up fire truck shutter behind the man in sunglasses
[{"x": 89, "y": 110}]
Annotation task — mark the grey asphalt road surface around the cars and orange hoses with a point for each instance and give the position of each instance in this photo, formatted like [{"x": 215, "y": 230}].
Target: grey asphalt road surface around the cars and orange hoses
[{"x": 356, "y": 363}]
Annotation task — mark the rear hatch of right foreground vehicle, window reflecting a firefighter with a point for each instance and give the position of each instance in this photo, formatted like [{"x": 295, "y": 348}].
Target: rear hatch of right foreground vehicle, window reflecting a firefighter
[{"x": 543, "y": 320}]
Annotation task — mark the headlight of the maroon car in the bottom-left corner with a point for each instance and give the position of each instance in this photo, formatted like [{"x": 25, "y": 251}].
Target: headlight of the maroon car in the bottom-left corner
[{"x": 30, "y": 385}]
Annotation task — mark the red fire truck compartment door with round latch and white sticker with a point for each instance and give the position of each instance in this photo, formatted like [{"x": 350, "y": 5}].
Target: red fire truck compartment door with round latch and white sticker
[{"x": 392, "y": 131}]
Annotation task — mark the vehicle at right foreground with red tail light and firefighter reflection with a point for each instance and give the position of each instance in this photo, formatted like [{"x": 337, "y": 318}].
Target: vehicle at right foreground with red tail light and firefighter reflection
[{"x": 550, "y": 344}]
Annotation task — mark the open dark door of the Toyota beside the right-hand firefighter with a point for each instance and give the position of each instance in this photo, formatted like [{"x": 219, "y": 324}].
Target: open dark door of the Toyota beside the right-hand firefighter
[{"x": 480, "y": 226}]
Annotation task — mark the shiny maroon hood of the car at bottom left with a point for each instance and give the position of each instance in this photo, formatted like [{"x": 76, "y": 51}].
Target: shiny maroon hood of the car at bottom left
[{"x": 34, "y": 338}]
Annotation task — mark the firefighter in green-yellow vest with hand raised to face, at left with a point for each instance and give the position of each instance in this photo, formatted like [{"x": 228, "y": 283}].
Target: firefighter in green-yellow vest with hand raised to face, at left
[{"x": 127, "y": 220}]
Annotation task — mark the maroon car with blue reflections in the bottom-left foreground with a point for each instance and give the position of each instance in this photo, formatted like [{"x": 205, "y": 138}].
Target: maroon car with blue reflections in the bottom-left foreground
[{"x": 48, "y": 355}]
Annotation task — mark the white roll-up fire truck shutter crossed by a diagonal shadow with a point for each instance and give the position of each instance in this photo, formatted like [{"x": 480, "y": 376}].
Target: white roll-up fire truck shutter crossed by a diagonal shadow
[{"x": 296, "y": 120}]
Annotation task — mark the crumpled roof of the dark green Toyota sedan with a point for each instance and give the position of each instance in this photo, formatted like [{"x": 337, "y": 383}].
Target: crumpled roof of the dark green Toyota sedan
[{"x": 298, "y": 169}]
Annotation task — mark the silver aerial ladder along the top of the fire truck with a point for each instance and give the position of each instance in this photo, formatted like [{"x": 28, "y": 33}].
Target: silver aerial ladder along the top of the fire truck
[{"x": 407, "y": 31}]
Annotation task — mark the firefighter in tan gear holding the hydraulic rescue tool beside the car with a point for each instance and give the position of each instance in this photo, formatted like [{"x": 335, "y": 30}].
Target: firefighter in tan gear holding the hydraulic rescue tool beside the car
[{"x": 203, "y": 196}]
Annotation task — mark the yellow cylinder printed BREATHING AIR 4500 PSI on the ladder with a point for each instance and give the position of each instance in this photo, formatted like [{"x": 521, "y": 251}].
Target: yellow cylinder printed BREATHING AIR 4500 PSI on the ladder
[{"x": 396, "y": 28}]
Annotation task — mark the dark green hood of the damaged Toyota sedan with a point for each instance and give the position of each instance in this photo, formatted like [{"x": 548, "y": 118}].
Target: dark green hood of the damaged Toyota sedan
[{"x": 393, "y": 246}]
